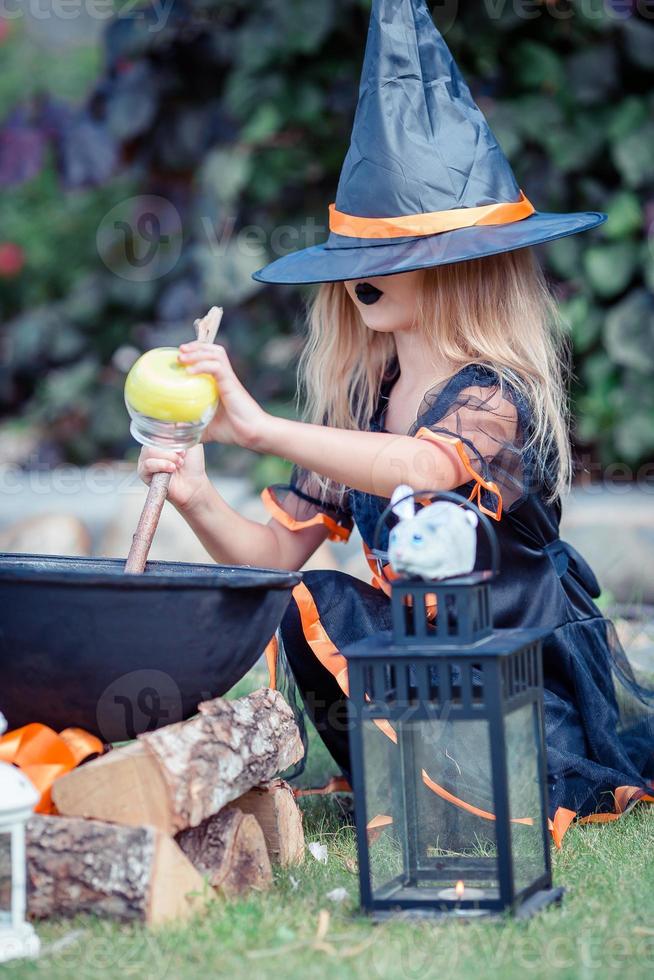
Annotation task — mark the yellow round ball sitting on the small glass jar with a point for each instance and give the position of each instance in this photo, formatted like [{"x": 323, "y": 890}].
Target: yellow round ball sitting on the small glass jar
[{"x": 161, "y": 388}]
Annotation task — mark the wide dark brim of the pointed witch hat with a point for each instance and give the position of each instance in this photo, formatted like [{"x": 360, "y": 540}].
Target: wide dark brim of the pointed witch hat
[{"x": 341, "y": 258}]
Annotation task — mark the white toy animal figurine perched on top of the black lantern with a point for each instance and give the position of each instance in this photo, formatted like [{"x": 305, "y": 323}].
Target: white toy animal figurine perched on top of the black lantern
[{"x": 438, "y": 541}]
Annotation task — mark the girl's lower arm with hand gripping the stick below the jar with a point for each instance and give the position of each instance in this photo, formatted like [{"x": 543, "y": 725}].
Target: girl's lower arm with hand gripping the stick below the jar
[{"x": 227, "y": 536}]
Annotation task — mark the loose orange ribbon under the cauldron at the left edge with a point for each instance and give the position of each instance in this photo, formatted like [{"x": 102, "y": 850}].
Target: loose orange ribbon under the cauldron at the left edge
[{"x": 44, "y": 756}]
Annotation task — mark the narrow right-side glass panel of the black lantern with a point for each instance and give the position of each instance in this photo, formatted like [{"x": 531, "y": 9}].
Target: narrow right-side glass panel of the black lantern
[{"x": 522, "y": 728}]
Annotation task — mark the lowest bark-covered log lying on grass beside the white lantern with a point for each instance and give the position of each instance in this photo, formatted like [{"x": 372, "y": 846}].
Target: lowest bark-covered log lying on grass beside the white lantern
[{"x": 126, "y": 873}]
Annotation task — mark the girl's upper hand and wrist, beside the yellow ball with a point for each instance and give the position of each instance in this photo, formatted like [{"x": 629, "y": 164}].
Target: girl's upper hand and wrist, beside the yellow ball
[{"x": 239, "y": 420}]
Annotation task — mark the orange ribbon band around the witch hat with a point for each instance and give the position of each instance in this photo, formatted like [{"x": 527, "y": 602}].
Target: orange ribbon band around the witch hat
[{"x": 430, "y": 222}]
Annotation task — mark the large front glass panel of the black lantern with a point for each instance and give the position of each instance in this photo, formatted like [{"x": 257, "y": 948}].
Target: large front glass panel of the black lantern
[{"x": 428, "y": 800}]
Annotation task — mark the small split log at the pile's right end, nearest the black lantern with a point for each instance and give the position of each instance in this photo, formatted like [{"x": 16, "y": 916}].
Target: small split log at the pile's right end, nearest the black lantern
[{"x": 280, "y": 819}]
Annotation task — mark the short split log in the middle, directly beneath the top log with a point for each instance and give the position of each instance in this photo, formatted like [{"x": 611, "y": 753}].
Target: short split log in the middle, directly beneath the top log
[{"x": 230, "y": 851}]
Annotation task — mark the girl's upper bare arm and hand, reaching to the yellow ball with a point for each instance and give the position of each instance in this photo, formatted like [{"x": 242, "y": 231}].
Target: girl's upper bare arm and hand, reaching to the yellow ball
[{"x": 374, "y": 462}]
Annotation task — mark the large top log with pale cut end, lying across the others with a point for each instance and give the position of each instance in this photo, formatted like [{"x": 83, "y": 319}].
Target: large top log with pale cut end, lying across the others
[{"x": 179, "y": 776}]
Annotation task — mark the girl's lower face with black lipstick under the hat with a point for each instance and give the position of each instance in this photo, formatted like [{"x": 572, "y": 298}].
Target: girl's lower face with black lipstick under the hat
[{"x": 387, "y": 303}]
